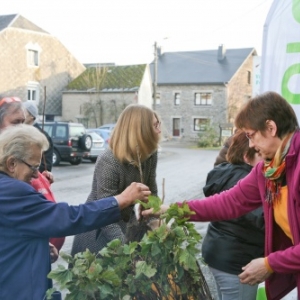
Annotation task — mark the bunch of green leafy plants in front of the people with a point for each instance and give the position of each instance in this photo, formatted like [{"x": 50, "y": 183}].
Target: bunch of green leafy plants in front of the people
[{"x": 163, "y": 265}]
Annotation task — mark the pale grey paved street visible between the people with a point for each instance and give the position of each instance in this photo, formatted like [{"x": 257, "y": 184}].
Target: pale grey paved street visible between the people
[{"x": 184, "y": 170}]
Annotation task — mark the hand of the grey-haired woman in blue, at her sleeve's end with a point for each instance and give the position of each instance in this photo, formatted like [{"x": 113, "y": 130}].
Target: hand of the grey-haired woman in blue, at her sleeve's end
[{"x": 136, "y": 191}]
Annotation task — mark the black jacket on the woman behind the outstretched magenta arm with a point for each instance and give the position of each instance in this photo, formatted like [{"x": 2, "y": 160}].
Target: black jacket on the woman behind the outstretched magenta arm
[{"x": 230, "y": 245}]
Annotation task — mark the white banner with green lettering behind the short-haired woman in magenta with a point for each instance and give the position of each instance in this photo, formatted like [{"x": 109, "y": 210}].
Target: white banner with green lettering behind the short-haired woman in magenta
[{"x": 280, "y": 61}]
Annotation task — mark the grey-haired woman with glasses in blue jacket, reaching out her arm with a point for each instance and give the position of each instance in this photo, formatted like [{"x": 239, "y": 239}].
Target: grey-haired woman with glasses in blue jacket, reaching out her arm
[{"x": 28, "y": 219}]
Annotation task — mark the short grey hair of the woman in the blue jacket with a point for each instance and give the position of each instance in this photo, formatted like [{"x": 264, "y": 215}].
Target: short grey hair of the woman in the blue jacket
[{"x": 17, "y": 141}]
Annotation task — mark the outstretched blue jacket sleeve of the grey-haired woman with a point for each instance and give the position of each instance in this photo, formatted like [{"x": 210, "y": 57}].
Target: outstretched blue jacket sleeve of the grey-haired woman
[{"x": 27, "y": 211}]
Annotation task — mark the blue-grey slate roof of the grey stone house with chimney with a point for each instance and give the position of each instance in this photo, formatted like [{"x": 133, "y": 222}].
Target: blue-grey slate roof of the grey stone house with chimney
[{"x": 199, "y": 67}]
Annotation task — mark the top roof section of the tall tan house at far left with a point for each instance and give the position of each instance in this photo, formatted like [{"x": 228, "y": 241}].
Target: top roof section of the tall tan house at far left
[{"x": 17, "y": 21}]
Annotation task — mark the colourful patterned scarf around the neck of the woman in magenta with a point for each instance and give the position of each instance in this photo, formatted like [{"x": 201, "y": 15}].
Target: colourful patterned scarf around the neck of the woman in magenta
[{"x": 274, "y": 170}]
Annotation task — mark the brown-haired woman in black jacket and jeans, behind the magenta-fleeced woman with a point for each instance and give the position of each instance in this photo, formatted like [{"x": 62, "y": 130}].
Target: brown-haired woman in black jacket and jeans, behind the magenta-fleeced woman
[{"x": 238, "y": 240}]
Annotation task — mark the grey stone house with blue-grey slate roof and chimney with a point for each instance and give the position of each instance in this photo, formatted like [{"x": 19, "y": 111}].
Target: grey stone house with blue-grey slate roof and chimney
[{"x": 197, "y": 90}]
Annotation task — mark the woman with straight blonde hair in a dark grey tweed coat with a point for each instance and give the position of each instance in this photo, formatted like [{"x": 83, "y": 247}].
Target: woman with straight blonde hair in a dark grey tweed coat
[{"x": 134, "y": 139}]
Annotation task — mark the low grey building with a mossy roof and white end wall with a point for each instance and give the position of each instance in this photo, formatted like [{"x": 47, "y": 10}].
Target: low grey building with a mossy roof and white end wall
[{"x": 99, "y": 94}]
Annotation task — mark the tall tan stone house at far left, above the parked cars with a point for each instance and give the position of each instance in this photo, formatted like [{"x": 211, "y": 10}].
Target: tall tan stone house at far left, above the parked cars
[{"x": 34, "y": 64}]
